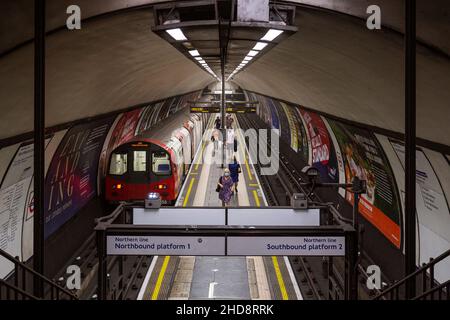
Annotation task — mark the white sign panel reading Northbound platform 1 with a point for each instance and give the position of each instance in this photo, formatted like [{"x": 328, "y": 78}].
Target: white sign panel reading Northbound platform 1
[{"x": 165, "y": 245}]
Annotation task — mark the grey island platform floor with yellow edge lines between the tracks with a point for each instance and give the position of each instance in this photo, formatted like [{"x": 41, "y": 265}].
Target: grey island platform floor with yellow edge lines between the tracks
[{"x": 247, "y": 278}]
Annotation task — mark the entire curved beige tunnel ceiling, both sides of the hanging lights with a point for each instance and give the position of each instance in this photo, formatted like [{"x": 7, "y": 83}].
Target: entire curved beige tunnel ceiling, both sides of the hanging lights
[{"x": 333, "y": 64}]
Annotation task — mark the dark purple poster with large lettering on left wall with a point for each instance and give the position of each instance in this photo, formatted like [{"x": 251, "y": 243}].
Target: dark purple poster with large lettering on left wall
[{"x": 72, "y": 176}]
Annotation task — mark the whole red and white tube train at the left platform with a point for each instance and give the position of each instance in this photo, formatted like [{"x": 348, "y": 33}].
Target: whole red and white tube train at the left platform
[{"x": 156, "y": 160}]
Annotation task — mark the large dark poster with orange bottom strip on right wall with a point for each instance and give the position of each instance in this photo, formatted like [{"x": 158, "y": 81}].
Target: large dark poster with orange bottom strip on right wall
[{"x": 364, "y": 158}]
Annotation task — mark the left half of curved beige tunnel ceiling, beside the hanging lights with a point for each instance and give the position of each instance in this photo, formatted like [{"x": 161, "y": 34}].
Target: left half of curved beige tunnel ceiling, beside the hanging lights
[{"x": 112, "y": 63}]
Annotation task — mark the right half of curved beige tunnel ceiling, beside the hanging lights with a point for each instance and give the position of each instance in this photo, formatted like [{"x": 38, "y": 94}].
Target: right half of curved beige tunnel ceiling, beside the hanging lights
[{"x": 334, "y": 64}]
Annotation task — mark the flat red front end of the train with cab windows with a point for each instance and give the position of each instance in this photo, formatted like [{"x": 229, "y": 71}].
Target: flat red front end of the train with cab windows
[{"x": 138, "y": 168}]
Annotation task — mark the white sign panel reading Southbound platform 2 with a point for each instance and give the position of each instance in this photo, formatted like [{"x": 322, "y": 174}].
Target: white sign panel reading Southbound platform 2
[{"x": 286, "y": 246}]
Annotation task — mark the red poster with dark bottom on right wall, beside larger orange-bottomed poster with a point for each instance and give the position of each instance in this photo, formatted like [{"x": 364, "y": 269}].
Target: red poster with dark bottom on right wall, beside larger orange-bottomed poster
[{"x": 322, "y": 150}]
